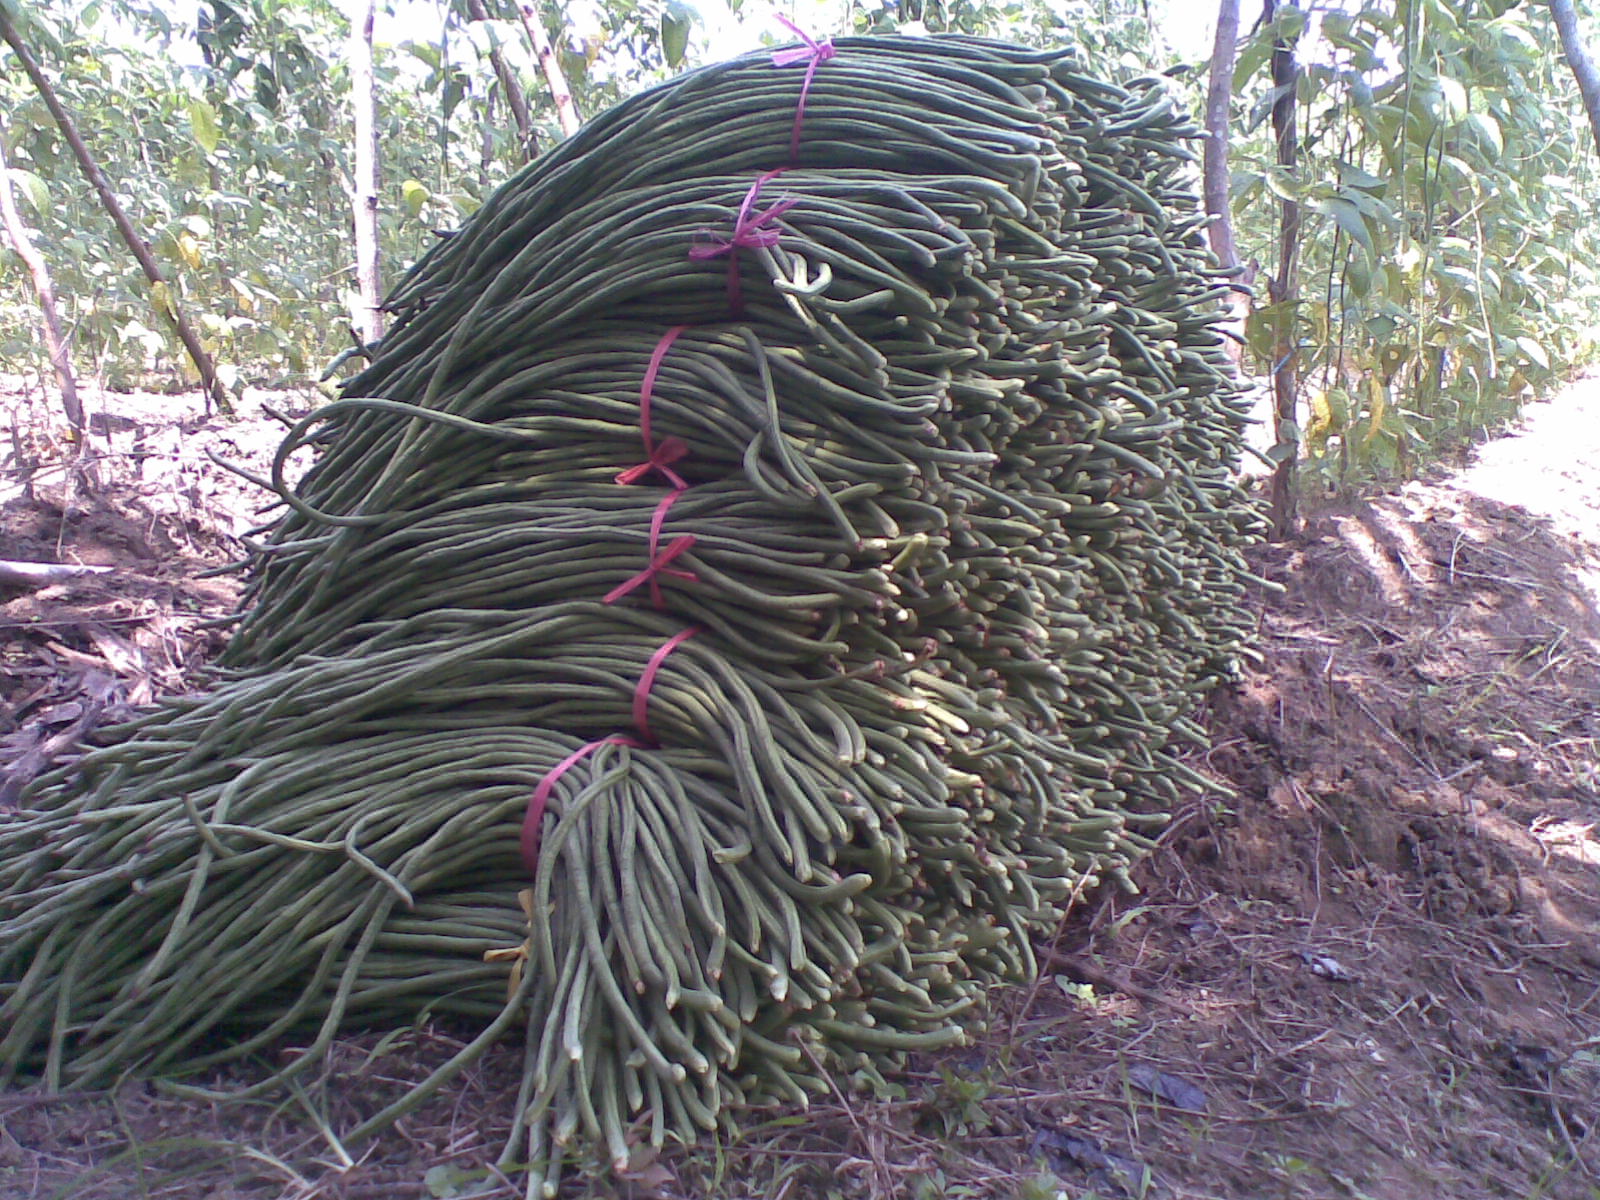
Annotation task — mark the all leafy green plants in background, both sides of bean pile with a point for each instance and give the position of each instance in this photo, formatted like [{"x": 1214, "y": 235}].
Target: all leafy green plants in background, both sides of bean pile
[{"x": 1447, "y": 242}]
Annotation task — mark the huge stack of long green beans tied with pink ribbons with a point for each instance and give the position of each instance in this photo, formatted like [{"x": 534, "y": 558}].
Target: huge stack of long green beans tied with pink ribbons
[{"x": 836, "y": 556}]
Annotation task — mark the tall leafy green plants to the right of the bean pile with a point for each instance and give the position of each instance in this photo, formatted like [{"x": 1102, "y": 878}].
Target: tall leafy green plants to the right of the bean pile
[{"x": 1447, "y": 241}]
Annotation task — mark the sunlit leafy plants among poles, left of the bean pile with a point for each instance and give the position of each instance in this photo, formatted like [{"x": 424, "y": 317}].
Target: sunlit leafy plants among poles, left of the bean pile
[{"x": 230, "y": 142}]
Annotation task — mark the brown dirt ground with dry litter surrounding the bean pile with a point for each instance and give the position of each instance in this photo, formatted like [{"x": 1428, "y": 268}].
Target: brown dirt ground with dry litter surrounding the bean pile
[{"x": 1372, "y": 970}]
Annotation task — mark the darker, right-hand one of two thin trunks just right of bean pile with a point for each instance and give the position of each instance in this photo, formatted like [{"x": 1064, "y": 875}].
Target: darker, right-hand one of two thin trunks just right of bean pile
[{"x": 1286, "y": 287}]
